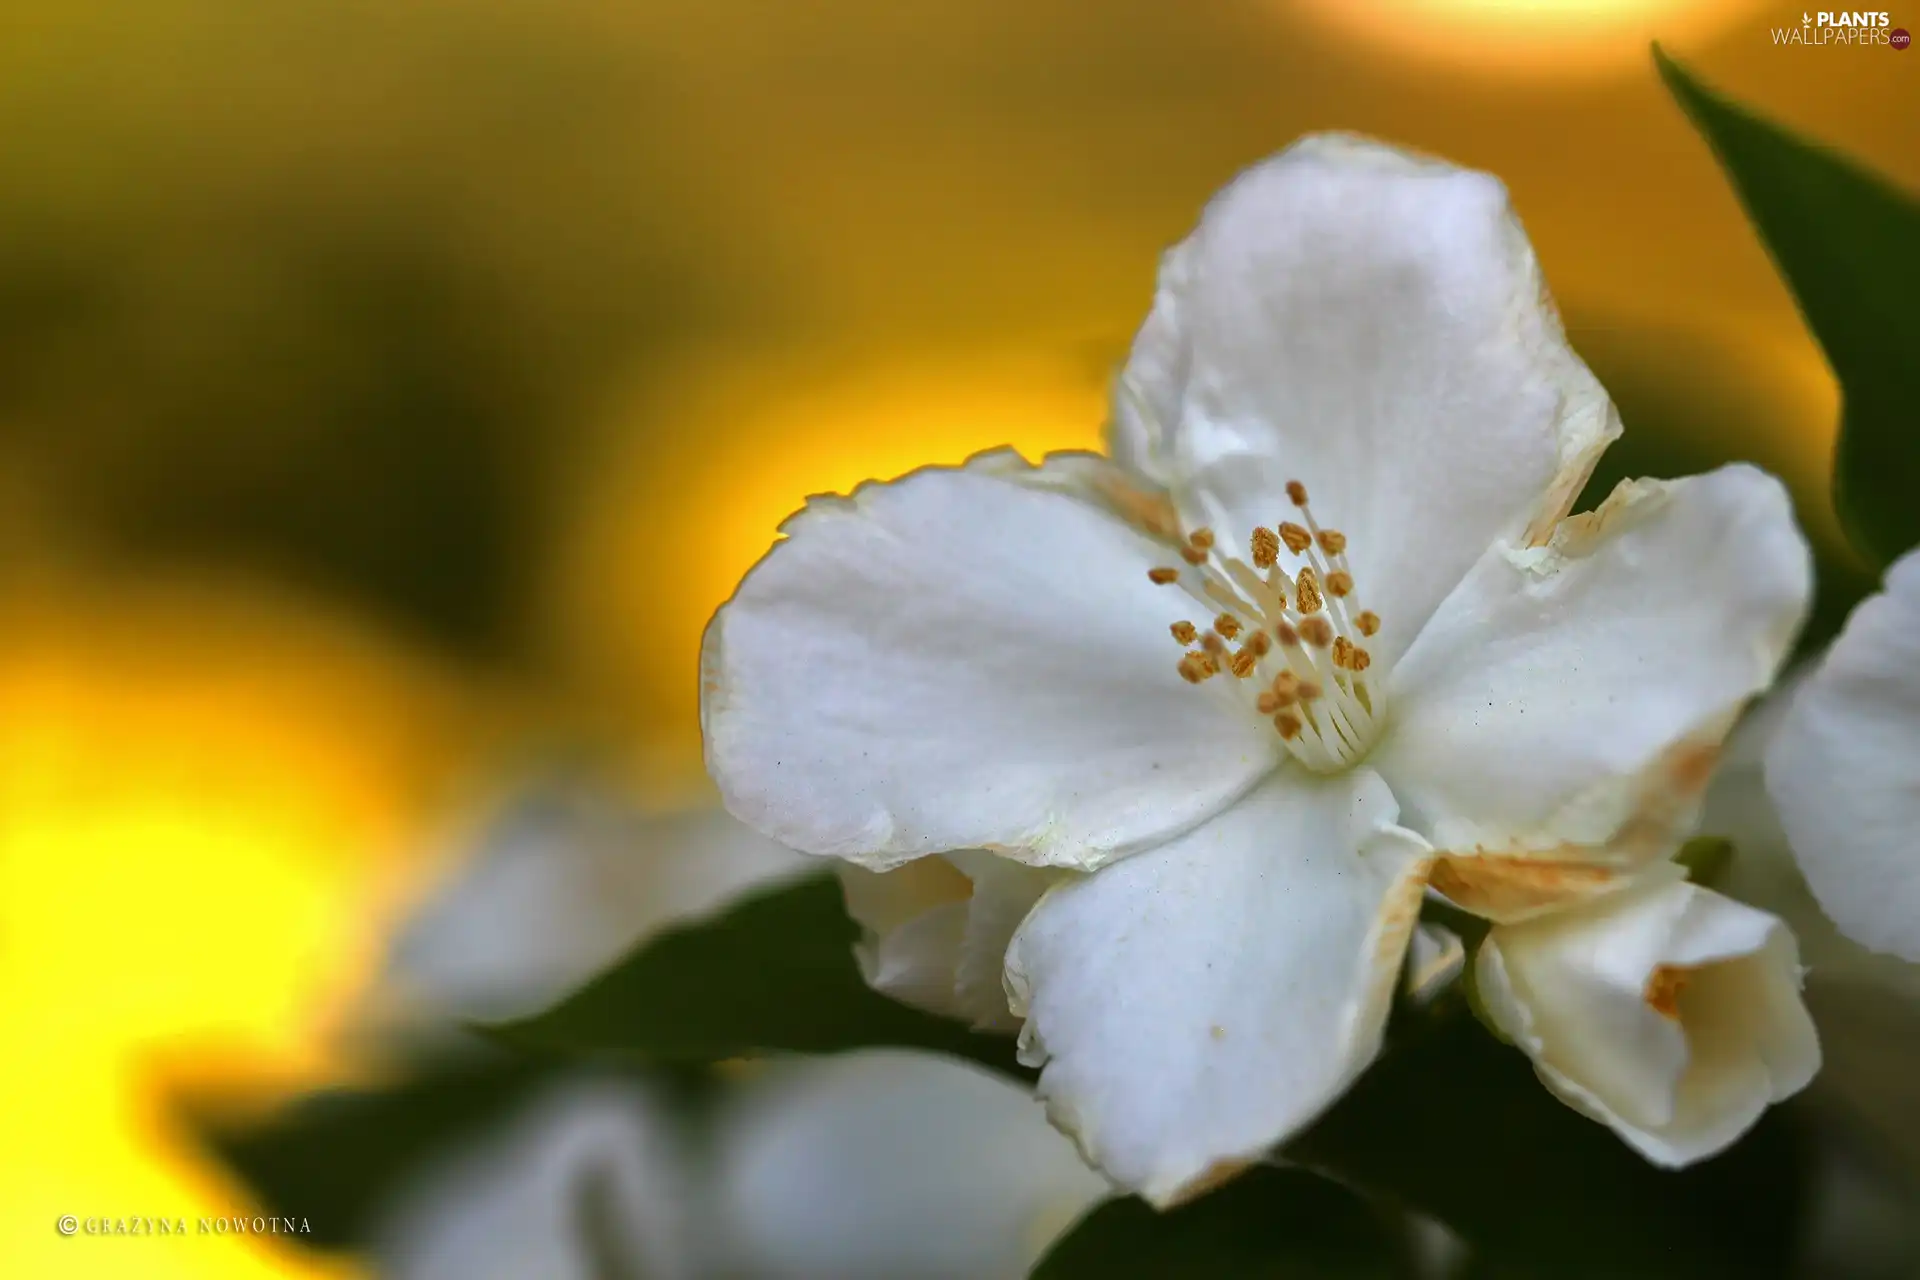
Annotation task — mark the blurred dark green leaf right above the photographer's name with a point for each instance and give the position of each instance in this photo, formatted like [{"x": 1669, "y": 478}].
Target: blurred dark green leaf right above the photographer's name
[{"x": 333, "y": 1158}]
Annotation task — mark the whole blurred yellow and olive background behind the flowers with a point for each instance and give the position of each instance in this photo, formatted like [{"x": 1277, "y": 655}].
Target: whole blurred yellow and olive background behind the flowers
[{"x": 393, "y": 391}]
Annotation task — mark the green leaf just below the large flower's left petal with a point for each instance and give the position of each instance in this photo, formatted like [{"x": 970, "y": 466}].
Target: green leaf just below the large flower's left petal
[{"x": 777, "y": 972}]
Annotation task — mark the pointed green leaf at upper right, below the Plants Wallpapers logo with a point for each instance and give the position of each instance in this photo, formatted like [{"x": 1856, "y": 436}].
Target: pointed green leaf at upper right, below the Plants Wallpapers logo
[{"x": 1848, "y": 245}]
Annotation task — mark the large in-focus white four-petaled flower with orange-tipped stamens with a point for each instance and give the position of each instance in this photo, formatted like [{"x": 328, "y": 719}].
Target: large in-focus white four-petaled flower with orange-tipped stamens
[{"x": 1345, "y": 446}]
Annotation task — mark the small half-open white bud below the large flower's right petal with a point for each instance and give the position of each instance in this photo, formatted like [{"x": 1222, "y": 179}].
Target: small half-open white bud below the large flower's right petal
[{"x": 1664, "y": 1010}]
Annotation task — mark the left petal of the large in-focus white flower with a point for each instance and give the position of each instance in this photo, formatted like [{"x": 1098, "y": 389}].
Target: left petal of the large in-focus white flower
[{"x": 961, "y": 659}]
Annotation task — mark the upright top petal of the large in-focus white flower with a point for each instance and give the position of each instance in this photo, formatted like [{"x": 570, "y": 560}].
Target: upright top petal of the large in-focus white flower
[{"x": 1374, "y": 325}]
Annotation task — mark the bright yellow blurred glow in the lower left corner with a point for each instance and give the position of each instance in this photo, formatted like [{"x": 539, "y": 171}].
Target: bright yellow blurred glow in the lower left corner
[{"x": 199, "y": 799}]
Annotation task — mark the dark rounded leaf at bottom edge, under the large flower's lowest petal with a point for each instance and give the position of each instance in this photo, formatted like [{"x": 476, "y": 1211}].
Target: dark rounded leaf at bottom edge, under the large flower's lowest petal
[{"x": 1282, "y": 1223}]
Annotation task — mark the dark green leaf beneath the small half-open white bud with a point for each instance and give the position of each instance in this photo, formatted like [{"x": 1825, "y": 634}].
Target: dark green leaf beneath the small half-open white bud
[{"x": 1458, "y": 1127}]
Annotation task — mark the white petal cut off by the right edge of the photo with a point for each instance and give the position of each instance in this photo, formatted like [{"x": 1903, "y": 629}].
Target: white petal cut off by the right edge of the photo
[{"x": 1846, "y": 770}]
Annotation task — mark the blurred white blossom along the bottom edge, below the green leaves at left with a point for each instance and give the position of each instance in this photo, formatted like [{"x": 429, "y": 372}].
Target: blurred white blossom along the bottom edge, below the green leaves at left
[{"x": 865, "y": 1168}]
